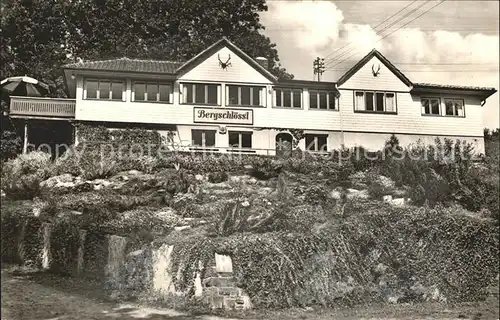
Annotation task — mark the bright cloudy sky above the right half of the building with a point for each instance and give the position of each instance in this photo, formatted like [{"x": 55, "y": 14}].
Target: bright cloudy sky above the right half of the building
[{"x": 455, "y": 42}]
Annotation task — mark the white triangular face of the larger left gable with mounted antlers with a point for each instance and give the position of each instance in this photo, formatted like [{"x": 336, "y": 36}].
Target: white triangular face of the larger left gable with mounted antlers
[{"x": 241, "y": 68}]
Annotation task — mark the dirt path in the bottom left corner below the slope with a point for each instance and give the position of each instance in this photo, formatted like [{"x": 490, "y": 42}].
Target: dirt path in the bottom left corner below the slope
[{"x": 40, "y": 296}]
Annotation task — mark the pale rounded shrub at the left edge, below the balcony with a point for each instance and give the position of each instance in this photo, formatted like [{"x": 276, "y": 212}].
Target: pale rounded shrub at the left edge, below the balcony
[{"x": 21, "y": 176}]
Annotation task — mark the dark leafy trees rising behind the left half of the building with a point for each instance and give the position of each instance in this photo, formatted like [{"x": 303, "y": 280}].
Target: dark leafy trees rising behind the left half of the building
[{"x": 40, "y": 36}]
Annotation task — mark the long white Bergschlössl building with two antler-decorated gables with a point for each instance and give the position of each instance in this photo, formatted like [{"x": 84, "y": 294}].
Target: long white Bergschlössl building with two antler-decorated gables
[{"x": 224, "y": 100}]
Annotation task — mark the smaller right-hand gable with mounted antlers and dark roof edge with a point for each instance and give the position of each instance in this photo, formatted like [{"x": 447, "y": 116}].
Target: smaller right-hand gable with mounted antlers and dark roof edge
[{"x": 375, "y": 72}]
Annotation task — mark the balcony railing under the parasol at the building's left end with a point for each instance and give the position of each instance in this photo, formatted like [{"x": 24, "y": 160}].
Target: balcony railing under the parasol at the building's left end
[{"x": 42, "y": 107}]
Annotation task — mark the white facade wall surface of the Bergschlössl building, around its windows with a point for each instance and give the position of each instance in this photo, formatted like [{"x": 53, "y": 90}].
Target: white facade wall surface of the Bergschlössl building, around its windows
[{"x": 343, "y": 126}]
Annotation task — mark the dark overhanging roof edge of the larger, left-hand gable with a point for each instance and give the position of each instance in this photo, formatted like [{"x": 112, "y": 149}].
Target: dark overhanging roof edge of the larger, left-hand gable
[{"x": 224, "y": 42}]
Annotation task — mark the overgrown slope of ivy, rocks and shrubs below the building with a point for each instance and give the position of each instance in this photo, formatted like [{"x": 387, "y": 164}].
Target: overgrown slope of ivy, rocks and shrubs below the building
[{"x": 301, "y": 231}]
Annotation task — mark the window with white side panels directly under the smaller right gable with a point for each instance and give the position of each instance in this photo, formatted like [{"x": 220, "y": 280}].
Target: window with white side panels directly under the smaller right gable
[{"x": 375, "y": 101}]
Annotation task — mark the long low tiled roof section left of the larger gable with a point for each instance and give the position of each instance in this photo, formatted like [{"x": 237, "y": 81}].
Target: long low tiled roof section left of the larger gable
[{"x": 128, "y": 65}]
